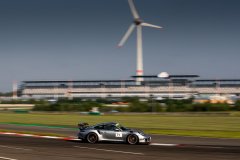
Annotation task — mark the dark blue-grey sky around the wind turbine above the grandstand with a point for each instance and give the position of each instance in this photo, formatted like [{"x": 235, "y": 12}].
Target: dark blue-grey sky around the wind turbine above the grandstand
[{"x": 77, "y": 39}]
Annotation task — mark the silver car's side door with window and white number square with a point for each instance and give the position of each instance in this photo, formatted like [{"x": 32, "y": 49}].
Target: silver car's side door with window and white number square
[{"x": 111, "y": 133}]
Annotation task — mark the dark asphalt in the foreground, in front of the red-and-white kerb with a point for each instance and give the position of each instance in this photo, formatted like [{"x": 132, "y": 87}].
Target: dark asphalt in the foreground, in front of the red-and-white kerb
[{"x": 28, "y": 148}]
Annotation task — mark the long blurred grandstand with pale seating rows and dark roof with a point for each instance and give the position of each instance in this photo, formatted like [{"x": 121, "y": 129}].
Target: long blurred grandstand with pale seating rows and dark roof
[{"x": 168, "y": 86}]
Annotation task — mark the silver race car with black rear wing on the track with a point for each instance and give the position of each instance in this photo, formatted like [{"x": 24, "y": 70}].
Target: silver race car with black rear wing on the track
[{"x": 111, "y": 131}]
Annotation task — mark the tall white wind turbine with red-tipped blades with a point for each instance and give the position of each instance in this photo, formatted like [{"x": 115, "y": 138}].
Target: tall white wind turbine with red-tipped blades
[{"x": 139, "y": 23}]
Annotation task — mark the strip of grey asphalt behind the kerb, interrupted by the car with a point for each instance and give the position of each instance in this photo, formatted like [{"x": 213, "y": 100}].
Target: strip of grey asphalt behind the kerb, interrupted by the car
[{"x": 155, "y": 138}]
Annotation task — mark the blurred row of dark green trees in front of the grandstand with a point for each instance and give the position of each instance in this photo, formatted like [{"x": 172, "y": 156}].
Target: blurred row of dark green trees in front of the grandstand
[{"x": 170, "y": 105}]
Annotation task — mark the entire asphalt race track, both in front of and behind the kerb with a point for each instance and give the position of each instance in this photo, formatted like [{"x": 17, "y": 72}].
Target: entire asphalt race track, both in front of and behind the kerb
[{"x": 13, "y": 147}]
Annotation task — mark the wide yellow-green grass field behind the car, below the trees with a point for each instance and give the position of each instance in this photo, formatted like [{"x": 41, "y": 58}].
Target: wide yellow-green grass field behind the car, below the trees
[{"x": 206, "y": 126}]
